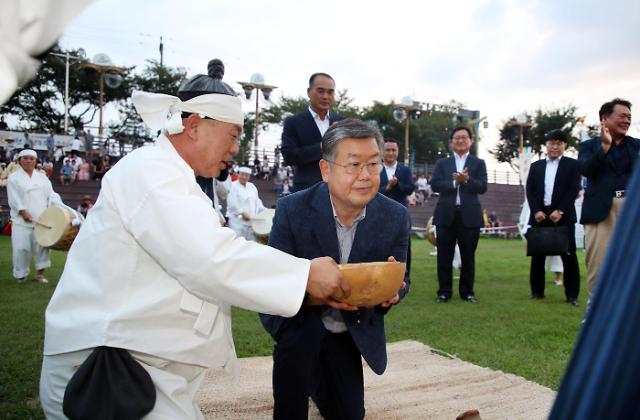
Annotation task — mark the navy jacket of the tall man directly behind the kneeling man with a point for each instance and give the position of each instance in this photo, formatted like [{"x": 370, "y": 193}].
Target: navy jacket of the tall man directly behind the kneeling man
[{"x": 301, "y": 147}]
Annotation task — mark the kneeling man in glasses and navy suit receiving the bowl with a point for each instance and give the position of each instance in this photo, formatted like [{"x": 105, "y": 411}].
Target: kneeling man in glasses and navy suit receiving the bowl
[{"x": 318, "y": 352}]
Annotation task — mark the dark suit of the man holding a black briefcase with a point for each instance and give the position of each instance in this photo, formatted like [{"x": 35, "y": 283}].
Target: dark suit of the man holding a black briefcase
[{"x": 566, "y": 187}]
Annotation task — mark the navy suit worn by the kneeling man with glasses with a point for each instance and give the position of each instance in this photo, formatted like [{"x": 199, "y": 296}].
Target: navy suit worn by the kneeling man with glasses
[{"x": 309, "y": 360}]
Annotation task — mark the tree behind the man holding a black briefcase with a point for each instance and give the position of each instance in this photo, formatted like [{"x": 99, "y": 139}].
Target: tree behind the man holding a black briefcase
[{"x": 538, "y": 124}]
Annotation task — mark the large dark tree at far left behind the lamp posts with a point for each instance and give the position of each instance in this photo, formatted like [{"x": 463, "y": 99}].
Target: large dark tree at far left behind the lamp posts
[{"x": 40, "y": 103}]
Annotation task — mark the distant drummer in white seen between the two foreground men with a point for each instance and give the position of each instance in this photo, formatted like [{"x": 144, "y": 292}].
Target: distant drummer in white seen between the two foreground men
[{"x": 243, "y": 204}]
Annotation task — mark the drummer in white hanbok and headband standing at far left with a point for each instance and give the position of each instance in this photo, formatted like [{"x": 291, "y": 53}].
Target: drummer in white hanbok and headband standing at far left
[{"x": 30, "y": 193}]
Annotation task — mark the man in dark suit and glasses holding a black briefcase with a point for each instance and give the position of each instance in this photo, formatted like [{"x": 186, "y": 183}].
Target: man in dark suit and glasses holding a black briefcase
[{"x": 553, "y": 185}]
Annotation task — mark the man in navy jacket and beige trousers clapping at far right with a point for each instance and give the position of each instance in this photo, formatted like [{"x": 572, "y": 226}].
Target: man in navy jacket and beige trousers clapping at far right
[{"x": 607, "y": 162}]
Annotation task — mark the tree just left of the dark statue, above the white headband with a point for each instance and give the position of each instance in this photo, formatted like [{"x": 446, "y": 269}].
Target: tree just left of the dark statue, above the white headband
[{"x": 154, "y": 78}]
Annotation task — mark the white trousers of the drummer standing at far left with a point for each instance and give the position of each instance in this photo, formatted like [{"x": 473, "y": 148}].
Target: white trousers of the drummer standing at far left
[{"x": 23, "y": 243}]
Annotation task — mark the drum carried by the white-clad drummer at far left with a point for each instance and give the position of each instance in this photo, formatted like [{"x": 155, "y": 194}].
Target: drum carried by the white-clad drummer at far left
[{"x": 55, "y": 229}]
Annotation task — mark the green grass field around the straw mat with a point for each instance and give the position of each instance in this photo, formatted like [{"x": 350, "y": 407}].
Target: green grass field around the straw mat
[{"x": 505, "y": 330}]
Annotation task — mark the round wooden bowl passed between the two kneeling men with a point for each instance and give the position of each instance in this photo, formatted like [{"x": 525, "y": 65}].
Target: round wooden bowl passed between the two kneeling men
[{"x": 372, "y": 283}]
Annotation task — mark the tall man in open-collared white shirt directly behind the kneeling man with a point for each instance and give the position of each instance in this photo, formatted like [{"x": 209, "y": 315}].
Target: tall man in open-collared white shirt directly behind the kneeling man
[{"x": 302, "y": 132}]
